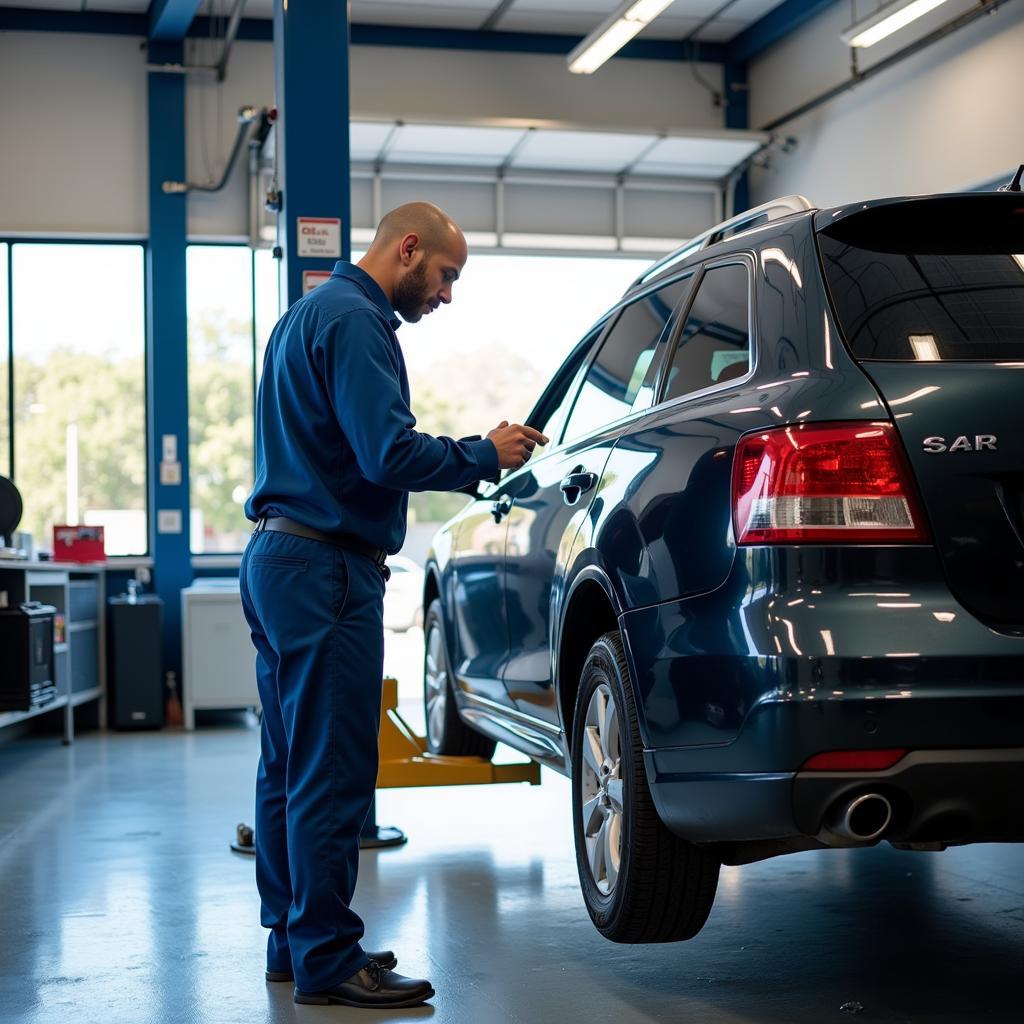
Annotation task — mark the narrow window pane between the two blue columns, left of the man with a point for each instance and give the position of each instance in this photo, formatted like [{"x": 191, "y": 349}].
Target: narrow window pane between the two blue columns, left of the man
[{"x": 221, "y": 395}]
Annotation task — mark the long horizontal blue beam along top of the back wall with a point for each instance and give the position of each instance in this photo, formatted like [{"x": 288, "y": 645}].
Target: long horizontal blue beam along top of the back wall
[{"x": 260, "y": 30}]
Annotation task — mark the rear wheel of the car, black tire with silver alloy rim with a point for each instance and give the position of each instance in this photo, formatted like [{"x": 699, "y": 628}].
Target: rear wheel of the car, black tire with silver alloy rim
[{"x": 641, "y": 882}]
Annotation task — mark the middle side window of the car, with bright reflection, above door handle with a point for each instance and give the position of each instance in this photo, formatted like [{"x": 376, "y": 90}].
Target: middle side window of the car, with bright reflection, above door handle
[{"x": 625, "y": 362}]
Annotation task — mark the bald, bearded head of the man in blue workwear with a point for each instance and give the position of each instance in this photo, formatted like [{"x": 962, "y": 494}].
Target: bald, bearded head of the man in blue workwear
[{"x": 416, "y": 258}]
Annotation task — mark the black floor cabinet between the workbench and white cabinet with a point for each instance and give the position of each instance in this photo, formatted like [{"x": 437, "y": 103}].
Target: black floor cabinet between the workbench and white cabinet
[{"x": 135, "y": 668}]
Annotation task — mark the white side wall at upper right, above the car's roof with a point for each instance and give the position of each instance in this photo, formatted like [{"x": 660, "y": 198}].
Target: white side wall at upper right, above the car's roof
[{"x": 943, "y": 120}]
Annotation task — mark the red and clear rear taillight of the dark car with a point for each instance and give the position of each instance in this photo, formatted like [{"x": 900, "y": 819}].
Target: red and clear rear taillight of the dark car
[{"x": 826, "y": 484}]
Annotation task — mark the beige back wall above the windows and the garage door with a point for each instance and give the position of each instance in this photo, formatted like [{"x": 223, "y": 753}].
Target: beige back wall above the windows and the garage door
[{"x": 73, "y": 117}]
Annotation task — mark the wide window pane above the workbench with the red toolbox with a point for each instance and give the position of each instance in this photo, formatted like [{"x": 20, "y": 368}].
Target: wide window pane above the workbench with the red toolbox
[{"x": 79, "y": 391}]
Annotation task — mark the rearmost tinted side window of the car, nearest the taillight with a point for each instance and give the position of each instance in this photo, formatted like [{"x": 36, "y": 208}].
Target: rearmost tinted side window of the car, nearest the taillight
[{"x": 715, "y": 344}]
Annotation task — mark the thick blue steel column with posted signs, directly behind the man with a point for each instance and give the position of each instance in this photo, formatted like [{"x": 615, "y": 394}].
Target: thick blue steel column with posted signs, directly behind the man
[{"x": 311, "y": 67}]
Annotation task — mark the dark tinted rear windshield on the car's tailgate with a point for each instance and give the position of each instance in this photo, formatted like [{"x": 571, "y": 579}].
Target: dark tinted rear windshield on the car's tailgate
[{"x": 930, "y": 280}]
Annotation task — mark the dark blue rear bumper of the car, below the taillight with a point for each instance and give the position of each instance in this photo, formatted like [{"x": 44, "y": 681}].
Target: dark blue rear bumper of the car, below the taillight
[{"x": 807, "y": 651}]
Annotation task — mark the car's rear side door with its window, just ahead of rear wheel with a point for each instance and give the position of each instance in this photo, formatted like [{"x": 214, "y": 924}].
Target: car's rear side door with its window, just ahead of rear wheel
[{"x": 551, "y": 496}]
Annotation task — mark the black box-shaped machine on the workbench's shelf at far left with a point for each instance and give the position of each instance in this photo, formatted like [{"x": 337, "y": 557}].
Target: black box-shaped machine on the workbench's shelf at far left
[{"x": 27, "y": 679}]
